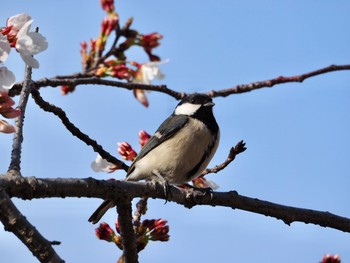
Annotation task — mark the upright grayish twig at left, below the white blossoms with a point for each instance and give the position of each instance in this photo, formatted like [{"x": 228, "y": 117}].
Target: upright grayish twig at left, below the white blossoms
[{"x": 18, "y": 136}]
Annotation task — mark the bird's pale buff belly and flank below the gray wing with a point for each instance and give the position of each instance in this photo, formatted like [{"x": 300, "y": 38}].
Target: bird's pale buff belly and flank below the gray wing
[{"x": 176, "y": 157}]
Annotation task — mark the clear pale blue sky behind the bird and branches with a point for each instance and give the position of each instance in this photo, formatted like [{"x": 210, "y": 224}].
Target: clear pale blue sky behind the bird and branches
[{"x": 297, "y": 134}]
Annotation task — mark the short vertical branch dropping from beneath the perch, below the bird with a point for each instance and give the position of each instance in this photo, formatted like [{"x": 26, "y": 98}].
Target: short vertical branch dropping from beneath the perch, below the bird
[{"x": 127, "y": 231}]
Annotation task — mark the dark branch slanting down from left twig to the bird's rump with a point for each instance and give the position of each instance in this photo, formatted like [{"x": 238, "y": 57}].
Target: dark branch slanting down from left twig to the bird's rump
[{"x": 75, "y": 131}]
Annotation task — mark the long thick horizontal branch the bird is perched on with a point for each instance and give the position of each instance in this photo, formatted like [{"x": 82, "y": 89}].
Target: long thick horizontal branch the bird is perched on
[{"x": 28, "y": 188}]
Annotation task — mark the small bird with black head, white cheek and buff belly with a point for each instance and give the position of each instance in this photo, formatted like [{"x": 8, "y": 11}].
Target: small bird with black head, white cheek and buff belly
[{"x": 179, "y": 150}]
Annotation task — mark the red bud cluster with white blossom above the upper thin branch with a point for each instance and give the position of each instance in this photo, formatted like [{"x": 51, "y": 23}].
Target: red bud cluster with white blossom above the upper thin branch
[{"x": 113, "y": 62}]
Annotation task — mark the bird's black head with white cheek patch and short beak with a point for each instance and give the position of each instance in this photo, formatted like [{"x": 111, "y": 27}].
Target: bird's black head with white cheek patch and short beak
[{"x": 194, "y": 103}]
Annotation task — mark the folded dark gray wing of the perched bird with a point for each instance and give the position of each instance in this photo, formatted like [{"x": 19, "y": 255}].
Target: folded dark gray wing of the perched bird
[{"x": 166, "y": 130}]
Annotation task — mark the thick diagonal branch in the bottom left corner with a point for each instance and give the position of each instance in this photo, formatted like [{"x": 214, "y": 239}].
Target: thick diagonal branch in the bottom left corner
[{"x": 16, "y": 223}]
